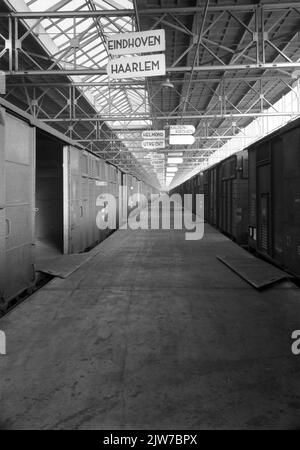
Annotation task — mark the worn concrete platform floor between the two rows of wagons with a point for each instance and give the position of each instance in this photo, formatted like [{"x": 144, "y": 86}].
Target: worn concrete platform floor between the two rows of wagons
[{"x": 152, "y": 333}]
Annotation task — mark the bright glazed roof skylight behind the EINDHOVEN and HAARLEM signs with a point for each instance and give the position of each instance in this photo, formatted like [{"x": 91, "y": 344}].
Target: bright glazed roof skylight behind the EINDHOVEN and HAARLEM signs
[{"x": 80, "y": 43}]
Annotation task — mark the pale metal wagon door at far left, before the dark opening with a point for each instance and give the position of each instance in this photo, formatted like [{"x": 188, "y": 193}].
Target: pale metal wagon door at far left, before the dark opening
[{"x": 19, "y": 207}]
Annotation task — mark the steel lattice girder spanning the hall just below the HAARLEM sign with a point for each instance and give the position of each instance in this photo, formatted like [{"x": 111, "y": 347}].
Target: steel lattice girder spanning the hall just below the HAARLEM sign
[{"x": 68, "y": 112}]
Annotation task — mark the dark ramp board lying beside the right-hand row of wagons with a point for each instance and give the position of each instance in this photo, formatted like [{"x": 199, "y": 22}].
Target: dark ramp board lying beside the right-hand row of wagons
[{"x": 257, "y": 272}]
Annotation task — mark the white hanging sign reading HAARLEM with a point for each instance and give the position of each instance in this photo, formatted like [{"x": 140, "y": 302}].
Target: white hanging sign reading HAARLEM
[{"x": 139, "y": 66}]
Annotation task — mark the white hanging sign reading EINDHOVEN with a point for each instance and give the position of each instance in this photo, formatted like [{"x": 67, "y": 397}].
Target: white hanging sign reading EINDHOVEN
[{"x": 142, "y": 42}]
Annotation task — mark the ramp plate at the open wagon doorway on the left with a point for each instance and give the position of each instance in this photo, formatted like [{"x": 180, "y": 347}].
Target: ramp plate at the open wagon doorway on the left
[{"x": 62, "y": 266}]
